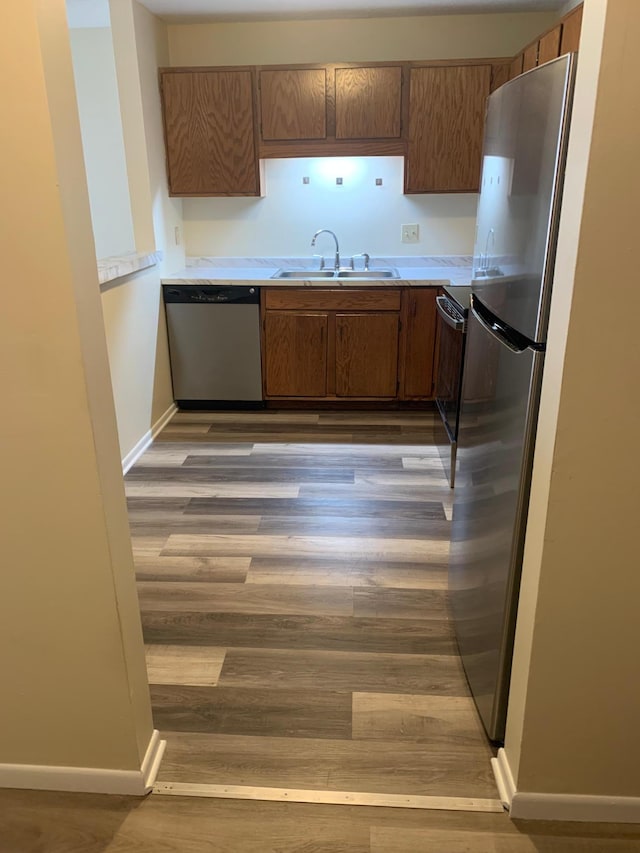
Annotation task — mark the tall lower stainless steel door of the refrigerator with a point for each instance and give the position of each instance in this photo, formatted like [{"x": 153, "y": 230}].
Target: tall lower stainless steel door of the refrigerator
[{"x": 497, "y": 425}]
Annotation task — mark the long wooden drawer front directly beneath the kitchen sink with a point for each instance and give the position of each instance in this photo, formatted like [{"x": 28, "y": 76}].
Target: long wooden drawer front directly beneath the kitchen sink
[{"x": 331, "y": 300}]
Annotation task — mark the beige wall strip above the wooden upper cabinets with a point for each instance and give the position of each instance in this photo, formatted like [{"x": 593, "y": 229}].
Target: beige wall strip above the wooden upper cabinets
[{"x": 355, "y": 39}]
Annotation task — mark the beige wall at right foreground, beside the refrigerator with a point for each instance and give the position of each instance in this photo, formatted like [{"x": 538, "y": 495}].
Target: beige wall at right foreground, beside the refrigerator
[{"x": 575, "y": 697}]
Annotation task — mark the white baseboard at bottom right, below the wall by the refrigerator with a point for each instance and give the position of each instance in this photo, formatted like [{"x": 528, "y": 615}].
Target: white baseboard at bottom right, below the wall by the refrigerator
[{"x": 531, "y": 805}]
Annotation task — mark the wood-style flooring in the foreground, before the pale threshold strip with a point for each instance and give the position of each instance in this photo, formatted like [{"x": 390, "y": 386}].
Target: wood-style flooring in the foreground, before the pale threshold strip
[{"x": 42, "y": 822}]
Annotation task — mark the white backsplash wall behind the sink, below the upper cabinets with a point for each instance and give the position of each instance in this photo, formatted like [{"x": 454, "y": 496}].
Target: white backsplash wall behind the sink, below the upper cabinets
[{"x": 366, "y": 217}]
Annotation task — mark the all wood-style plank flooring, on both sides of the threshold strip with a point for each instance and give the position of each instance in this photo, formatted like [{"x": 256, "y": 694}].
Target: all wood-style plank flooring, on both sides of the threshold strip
[{"x": 293, "y": 586}]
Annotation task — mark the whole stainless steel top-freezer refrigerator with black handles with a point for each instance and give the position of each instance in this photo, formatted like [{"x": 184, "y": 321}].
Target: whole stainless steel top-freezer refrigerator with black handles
[{"x": 518, "y": 209}]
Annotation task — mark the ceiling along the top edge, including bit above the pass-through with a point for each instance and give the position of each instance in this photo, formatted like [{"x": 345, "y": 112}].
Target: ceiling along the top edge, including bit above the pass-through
[{"x": 192, "y": 11}]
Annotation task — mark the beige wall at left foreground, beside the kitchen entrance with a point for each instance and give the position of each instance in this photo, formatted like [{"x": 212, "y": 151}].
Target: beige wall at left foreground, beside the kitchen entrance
[{"x": 74, "y": 689}]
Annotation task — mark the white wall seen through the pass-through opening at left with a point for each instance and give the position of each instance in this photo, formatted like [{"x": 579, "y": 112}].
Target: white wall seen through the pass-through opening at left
[{"x": 101, "y": 127}]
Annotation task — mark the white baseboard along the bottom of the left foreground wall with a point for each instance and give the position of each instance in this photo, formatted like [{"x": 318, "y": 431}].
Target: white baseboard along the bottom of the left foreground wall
[{"x": 90, "y": 780}]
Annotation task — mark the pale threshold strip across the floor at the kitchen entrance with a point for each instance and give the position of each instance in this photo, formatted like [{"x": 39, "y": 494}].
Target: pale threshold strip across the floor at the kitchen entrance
[{"x": 349, "y": 798}]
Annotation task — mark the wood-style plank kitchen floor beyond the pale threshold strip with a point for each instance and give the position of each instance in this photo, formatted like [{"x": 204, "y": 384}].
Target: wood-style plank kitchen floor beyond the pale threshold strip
[{"x": 292, "y": 581}]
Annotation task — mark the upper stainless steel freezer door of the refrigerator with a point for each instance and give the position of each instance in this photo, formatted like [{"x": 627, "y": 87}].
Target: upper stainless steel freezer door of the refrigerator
[{"x": 518, "y": 208}]
